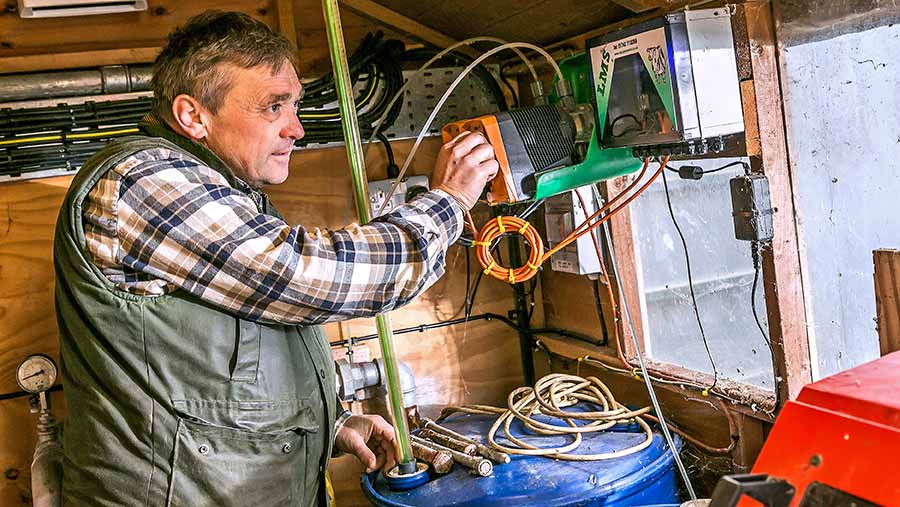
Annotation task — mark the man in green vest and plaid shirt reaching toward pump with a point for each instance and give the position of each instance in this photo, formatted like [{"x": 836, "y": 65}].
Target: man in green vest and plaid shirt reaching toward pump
[{"x": 194, "y": 369}]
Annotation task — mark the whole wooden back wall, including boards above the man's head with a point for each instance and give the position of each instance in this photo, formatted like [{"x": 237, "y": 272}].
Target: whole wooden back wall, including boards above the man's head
[{"x": 452, "y": 365}]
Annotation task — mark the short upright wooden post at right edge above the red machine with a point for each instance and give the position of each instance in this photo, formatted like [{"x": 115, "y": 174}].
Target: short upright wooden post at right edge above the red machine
[{"x": 887, "y": 298}]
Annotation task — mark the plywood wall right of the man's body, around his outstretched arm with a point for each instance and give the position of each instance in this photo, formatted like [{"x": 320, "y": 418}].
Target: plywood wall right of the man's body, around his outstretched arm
[{"x": 477, "y": 362}]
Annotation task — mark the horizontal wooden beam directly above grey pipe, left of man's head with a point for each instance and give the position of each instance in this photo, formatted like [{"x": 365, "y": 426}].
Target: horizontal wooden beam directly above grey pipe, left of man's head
[{"x": 59, "y": 61}]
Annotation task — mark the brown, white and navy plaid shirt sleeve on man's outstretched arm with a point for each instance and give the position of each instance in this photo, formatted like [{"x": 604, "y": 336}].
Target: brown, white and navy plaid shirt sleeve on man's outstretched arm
[{"x": 161, "y": 221}]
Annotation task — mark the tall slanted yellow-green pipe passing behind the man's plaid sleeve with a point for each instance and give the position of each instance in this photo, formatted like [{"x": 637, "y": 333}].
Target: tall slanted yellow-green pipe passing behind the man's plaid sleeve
[{"x": 350, "y": 125}]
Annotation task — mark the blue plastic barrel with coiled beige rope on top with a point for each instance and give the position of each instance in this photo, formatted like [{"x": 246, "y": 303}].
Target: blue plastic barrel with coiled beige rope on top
[{"x": 641, "y": 479}]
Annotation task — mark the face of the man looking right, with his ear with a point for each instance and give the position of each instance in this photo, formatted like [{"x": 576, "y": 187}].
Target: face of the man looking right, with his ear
[{"x": 256, "y": 126}]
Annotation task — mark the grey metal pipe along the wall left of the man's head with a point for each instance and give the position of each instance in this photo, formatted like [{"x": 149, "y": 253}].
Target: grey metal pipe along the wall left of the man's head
[{"x": 103, "y": 80}]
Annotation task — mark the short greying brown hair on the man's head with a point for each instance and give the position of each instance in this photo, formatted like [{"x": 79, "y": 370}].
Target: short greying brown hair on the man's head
[{"x": 192, "y": 60}]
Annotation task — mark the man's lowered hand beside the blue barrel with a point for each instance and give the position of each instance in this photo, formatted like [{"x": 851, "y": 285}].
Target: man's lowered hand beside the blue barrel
[{"x": 370, "y": 438}]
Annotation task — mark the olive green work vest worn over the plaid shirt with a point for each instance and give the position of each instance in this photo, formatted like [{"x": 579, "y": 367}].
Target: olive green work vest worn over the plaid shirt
[{"x": 172, "y": 401}]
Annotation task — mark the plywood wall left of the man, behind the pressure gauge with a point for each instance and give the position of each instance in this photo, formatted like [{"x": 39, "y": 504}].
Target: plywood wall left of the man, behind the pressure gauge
[{"x": 27, "y": 319}]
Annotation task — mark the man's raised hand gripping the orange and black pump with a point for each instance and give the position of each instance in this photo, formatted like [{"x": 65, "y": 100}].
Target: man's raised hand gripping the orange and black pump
[{"x": 464, "y": 166}]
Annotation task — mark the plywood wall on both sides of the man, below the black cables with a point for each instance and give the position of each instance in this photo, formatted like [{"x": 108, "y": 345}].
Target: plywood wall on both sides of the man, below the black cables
[{"x": 452, "y": 365}]
